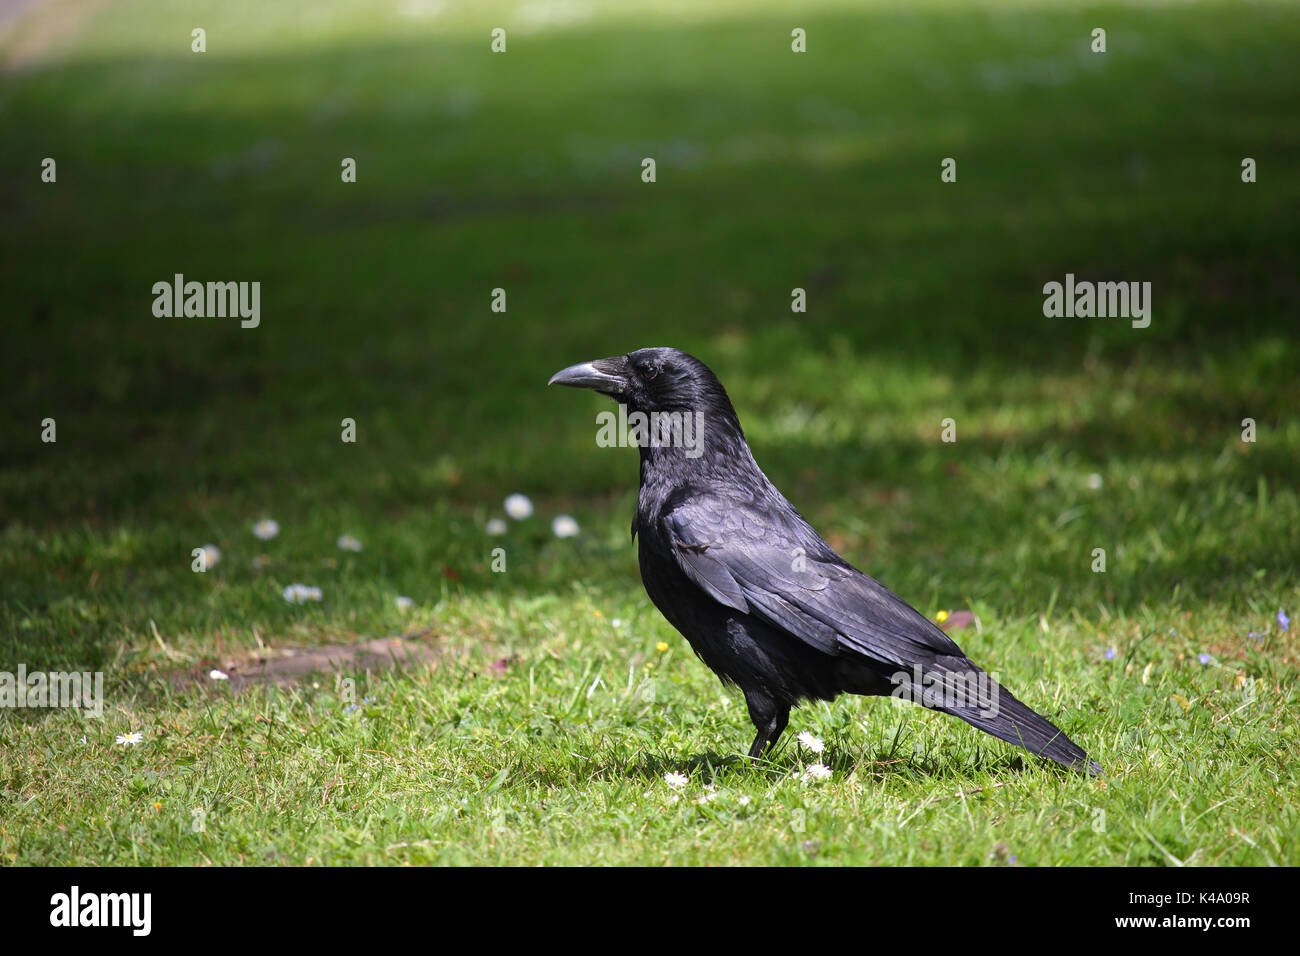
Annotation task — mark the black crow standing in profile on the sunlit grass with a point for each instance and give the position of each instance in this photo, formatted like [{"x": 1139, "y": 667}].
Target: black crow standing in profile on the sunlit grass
[{"x": 762, "y": 600}]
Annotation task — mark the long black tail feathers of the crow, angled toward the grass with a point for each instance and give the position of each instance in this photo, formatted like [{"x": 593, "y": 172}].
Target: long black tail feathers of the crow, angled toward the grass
[{"x": 970, "y": 694}]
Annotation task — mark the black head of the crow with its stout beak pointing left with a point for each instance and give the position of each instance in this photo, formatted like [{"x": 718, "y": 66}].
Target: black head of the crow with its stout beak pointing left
[{"x": 653, "y": 380}]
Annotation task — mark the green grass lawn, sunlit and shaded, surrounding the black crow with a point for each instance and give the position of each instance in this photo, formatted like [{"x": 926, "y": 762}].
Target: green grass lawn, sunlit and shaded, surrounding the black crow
[{"x": 523, "y": 172}]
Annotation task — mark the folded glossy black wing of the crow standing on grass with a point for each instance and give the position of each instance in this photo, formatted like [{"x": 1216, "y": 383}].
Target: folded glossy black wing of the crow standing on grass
[{"x": 773, "y": 565}]
